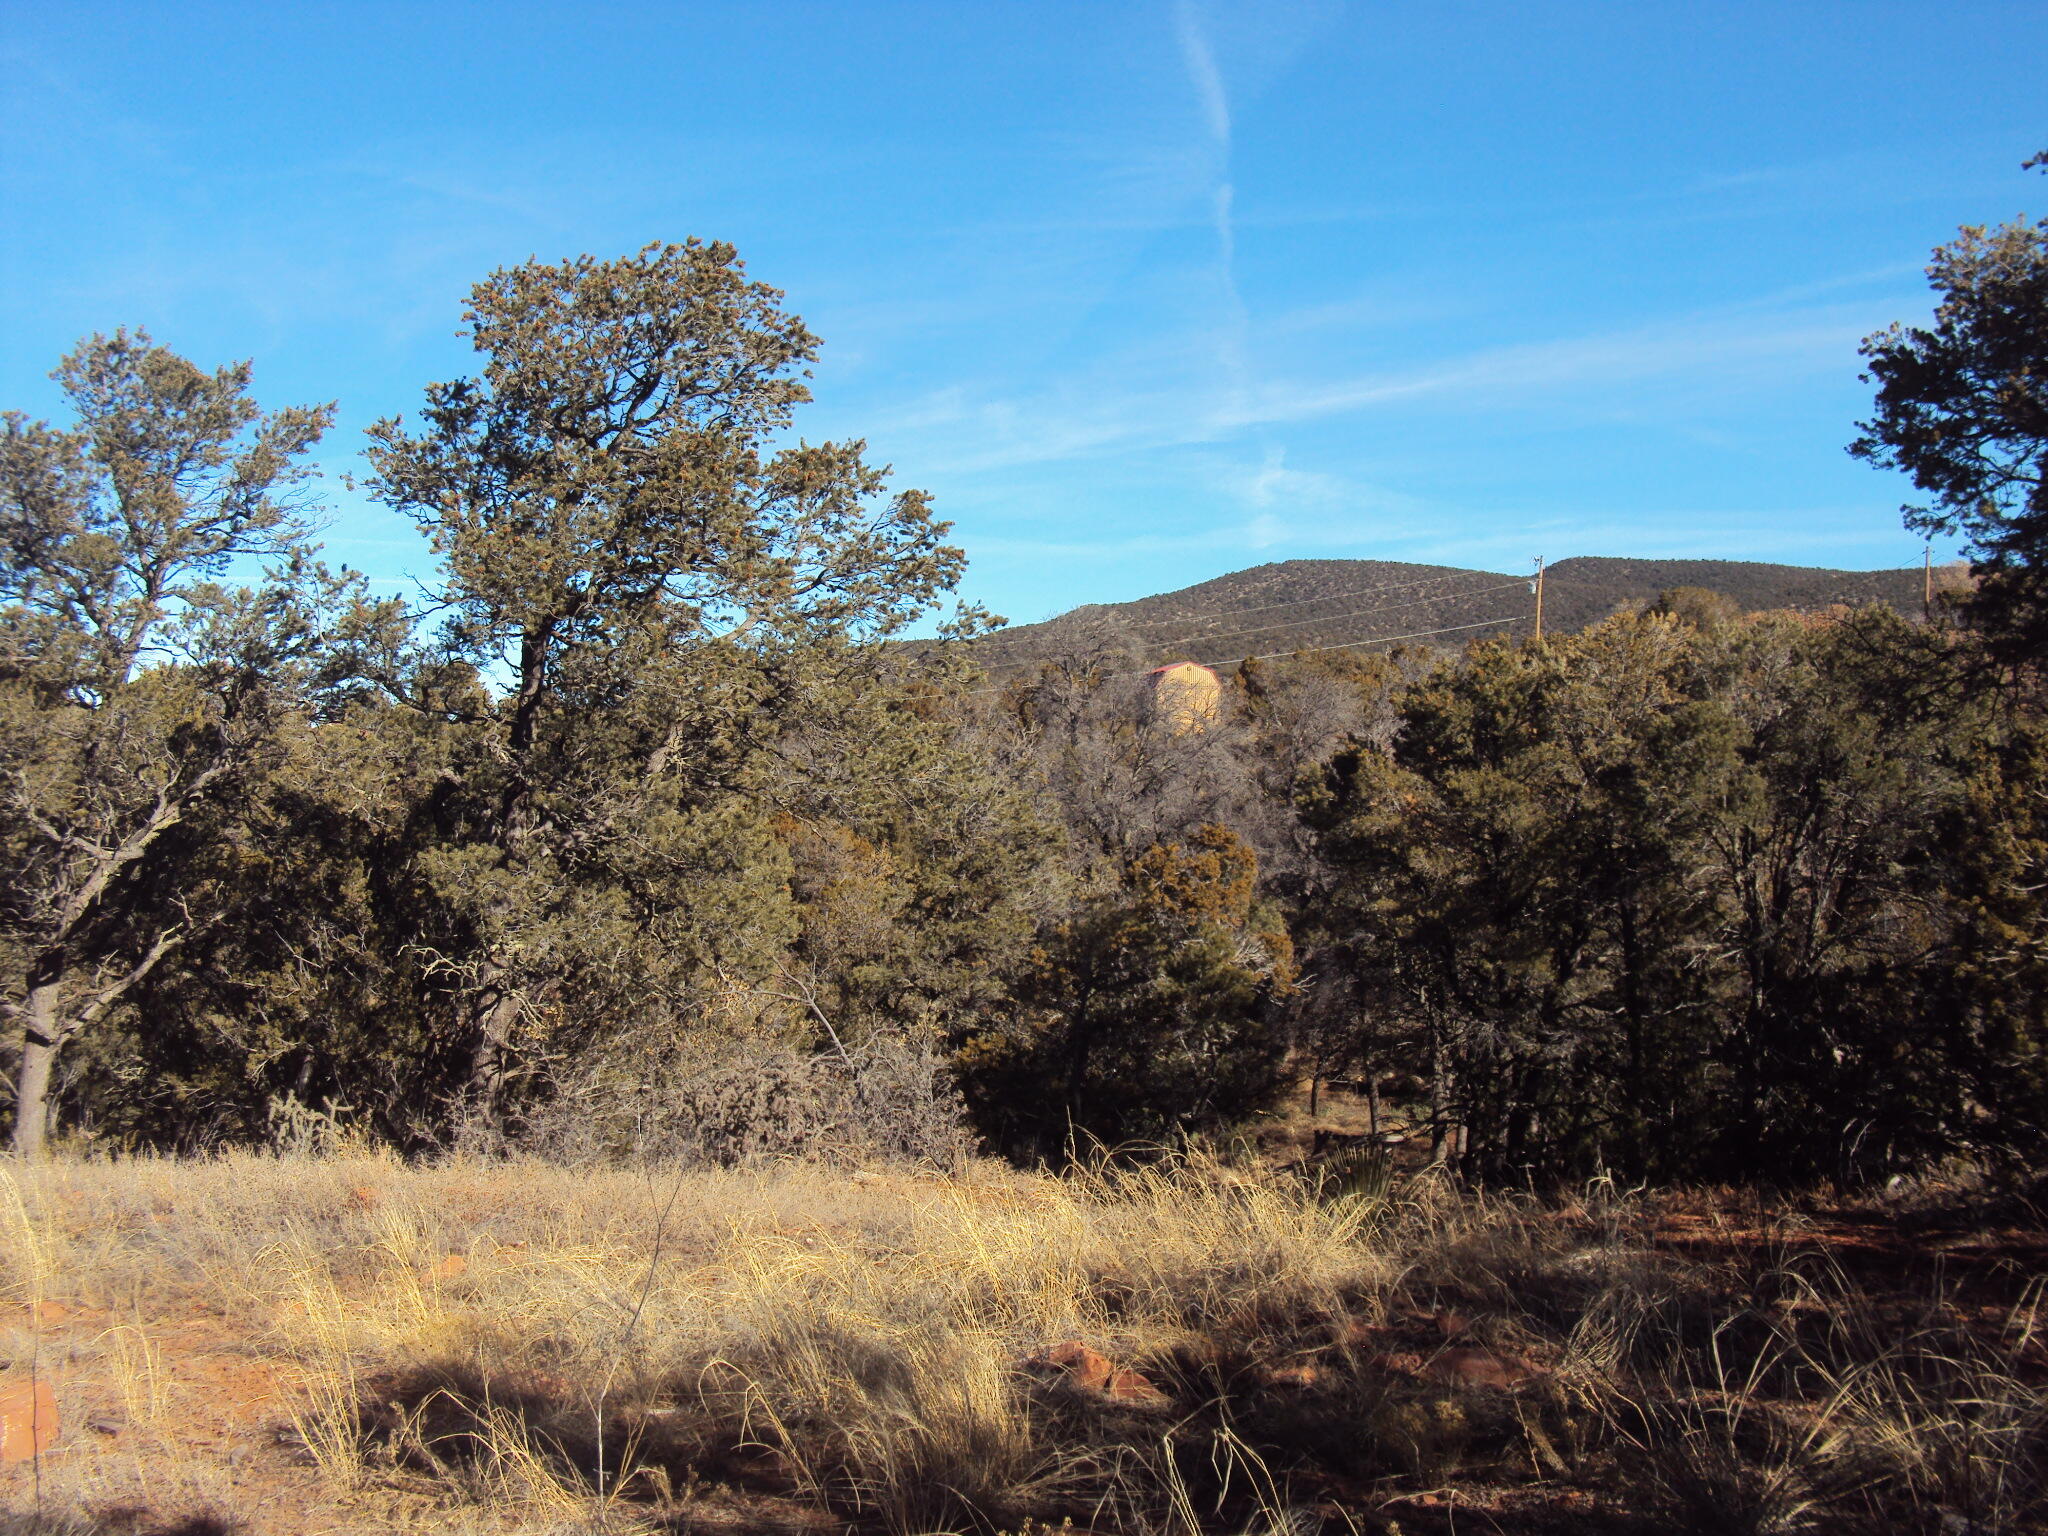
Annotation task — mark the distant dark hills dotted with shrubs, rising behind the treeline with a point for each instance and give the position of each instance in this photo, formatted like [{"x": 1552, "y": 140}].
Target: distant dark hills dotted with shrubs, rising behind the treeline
[{"x": 1314, "y": 603}]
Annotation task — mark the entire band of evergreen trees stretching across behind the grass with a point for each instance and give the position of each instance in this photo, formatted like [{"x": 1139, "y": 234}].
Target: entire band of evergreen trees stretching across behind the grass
[{"x": 650, "y": 833}]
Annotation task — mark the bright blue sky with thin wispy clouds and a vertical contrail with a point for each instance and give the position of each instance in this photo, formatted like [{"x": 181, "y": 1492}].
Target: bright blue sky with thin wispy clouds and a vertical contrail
[{"x": 1142, "y": 292}]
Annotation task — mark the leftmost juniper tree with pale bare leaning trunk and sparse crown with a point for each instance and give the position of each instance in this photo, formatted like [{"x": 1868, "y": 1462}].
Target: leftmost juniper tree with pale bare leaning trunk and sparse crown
[{"x": 138, "y": 687}]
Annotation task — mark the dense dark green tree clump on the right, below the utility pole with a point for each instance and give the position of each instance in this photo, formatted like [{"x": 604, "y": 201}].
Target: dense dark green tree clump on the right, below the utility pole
[{"x": 1699, "y": 894}]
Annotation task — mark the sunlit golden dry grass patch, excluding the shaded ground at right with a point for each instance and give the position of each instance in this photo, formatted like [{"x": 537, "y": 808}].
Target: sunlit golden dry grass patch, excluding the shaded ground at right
[{"x": 497, "y": 1328}]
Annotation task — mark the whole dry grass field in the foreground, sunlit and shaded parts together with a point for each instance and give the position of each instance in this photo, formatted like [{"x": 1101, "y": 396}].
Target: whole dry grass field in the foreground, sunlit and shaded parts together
[{"x": 353, "y": 1345}]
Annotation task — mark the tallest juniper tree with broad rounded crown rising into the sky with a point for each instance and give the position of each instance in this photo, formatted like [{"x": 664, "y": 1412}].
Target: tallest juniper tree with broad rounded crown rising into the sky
[{"x": 640, "y": 579}]
